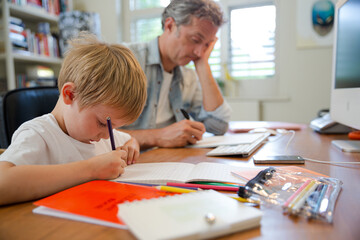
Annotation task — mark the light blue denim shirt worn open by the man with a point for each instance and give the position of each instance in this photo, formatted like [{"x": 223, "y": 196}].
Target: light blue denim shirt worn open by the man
[{"x": 185, "y": 92}]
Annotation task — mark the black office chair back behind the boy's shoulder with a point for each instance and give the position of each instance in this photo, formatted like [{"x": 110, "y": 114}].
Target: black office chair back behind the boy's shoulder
[{"x": 20, "y": 105}]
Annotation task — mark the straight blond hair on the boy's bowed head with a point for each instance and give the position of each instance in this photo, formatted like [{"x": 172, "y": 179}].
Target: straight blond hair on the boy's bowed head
[{"x": 107, "y": 74}]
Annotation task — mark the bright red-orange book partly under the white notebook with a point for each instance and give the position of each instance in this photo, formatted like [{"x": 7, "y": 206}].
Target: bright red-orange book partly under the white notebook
[{"x": 95, "y": 201}]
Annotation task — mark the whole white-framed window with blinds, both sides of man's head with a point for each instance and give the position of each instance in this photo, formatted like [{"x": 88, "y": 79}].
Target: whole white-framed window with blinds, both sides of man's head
[{"x": 246, "y": 46}]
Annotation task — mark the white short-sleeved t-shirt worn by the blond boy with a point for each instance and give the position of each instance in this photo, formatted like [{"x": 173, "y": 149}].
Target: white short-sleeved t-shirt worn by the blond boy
[{"x": 41, "y": 141}]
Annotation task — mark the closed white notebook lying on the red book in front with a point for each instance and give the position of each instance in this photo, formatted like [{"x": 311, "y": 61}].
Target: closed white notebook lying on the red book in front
[{"x": 197, "y": 215}]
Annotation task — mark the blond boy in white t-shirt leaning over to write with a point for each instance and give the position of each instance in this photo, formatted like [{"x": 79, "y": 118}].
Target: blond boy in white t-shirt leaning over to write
[{"x": 67, "y": 147}]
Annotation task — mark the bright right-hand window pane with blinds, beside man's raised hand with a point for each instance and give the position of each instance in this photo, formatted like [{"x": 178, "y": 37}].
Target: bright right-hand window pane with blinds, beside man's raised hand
[{"x": 252, "y": 42}]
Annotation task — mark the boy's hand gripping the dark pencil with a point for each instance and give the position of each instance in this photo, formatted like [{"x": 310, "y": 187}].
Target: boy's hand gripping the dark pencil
[{"x": 109, "y": 165}]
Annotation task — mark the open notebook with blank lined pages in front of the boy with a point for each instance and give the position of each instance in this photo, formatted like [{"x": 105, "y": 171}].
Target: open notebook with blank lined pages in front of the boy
[{"x": 179, "y": 172}]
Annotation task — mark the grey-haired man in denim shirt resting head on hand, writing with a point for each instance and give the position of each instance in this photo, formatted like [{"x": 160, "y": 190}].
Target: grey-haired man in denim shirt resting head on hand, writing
[{"x": 189, "y": 34}]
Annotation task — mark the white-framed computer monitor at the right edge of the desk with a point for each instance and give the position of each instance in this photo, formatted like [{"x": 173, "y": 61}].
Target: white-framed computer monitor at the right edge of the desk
[{"x": 345, "y": 92}]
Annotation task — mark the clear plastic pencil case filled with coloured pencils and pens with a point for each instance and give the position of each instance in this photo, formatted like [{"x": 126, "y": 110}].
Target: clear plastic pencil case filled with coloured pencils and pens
[{"x": 295, "y": 192}]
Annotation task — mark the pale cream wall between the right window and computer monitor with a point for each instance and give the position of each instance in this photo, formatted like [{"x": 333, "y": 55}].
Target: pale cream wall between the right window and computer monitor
[{"x": 304, "y": 75}]
